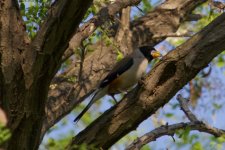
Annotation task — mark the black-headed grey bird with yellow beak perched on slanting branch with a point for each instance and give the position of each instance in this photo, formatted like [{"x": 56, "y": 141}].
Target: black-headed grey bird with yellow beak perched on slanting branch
[{"x": 124, "y": 75}]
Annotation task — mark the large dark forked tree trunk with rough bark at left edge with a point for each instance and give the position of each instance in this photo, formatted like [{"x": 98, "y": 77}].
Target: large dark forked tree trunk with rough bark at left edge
[{"x": 28, "y": 67}]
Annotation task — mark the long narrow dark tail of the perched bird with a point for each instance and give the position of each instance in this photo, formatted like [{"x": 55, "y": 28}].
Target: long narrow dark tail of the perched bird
[{"x": 99, "y": 93}]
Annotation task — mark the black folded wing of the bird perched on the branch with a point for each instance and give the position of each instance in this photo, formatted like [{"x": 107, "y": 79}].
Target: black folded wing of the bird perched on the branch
[{"x": 117, "y": 70}]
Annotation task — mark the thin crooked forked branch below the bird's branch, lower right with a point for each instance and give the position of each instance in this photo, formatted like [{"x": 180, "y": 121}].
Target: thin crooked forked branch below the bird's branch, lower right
[{"x": 170, "y": 130}]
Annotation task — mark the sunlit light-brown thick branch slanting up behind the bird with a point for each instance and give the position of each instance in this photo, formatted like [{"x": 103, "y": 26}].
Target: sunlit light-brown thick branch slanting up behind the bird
[{"x": 95, "y": 64}]
